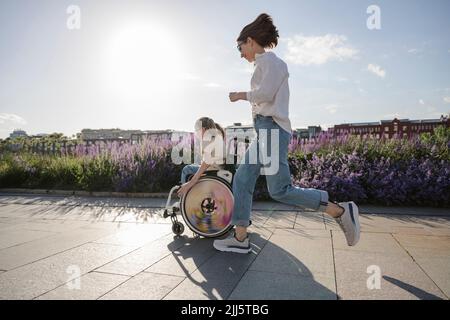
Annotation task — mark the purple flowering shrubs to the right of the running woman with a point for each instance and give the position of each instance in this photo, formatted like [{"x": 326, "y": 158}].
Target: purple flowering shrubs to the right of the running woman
[{"x": 396, "y": 171}]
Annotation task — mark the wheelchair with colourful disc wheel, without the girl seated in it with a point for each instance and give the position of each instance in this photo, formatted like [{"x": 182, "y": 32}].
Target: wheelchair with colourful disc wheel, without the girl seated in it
[{"x": 207, "y": 207}]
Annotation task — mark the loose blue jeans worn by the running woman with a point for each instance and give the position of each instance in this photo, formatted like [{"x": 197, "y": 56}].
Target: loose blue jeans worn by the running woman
[{"x": 279, "y": 185}]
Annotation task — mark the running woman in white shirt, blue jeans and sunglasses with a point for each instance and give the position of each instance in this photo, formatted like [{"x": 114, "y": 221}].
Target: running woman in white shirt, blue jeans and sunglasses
[{"x": 269, "y": 99}]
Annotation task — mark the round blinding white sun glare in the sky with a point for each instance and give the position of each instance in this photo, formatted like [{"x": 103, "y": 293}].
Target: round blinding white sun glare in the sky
[{"x": 143, "y": 61}]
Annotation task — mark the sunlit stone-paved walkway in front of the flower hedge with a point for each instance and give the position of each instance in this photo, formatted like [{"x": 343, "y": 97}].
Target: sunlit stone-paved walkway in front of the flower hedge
[{"x": 54, "y": 247}]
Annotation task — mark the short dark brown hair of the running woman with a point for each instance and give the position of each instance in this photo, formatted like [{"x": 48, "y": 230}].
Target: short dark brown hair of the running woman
[{"x": 262, "y": 30}]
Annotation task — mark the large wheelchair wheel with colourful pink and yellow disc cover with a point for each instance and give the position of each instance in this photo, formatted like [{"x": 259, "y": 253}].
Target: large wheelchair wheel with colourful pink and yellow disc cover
[{"x": 208, "y": 206}]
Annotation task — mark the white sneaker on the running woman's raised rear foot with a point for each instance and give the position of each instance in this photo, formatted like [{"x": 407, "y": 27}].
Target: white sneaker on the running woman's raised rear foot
[{"x": 349, "y": 222}]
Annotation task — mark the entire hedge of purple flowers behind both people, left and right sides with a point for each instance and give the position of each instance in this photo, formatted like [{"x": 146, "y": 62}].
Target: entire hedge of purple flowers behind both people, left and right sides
[{"x": 414, "y": 171}]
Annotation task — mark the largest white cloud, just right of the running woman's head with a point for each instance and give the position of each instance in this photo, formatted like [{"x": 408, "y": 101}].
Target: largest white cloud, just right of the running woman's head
[{"x": 318, "y": 50}]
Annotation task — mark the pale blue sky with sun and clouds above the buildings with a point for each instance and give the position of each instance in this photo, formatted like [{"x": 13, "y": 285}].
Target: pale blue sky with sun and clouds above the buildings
[{"x": 163, "y": 64}]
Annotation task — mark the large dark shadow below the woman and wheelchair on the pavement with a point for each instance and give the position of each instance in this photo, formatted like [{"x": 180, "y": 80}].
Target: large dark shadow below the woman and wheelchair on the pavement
[{"x": 221, "y": 273}]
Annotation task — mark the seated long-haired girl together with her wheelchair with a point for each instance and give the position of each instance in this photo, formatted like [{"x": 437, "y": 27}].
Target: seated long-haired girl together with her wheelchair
[{"x": 206, "y": 197}]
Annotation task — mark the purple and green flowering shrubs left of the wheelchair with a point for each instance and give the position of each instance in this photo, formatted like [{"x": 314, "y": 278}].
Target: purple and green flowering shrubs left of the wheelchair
[{"x": 145, "y": 167}]
